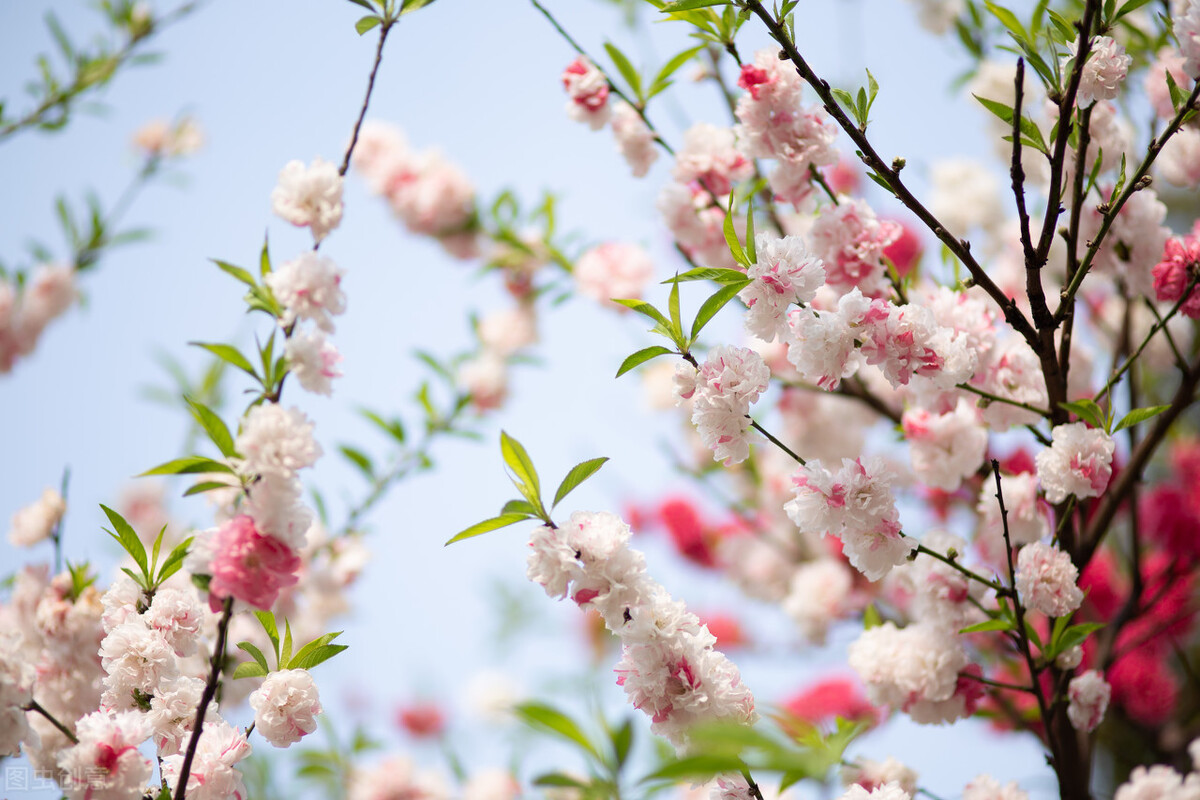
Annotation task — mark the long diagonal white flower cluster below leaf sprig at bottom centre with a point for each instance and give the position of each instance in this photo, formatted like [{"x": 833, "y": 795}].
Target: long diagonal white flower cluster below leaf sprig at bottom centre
[{"x": 669, "y": 667}]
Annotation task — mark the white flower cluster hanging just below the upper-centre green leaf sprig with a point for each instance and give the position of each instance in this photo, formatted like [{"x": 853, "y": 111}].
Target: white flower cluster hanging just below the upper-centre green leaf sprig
[{"x": 723, "y": 390}]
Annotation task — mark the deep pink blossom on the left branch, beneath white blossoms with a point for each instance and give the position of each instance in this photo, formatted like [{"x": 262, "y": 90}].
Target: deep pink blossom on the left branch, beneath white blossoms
[{"x": 250, "y": 567}]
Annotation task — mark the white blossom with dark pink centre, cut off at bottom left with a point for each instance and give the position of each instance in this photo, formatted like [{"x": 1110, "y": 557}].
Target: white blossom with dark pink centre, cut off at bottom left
[{"x": 106, "y": 765}]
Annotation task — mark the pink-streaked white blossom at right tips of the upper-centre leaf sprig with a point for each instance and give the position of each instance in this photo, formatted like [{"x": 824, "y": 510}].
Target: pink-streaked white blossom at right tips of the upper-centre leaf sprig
[{"x": 784, "y": 274}]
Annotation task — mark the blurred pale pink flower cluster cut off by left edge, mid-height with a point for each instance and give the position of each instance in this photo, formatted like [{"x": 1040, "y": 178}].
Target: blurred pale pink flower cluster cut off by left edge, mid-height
[{"x": 26, "y": 314}]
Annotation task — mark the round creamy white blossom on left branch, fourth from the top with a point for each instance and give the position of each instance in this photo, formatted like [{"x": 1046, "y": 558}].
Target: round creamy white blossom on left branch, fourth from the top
[{"x": 277, "y": 442}]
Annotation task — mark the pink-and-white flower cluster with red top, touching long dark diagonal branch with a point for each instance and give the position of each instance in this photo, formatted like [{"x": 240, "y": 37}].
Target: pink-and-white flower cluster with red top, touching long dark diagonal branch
[{"x": 773, "y": 124}]
